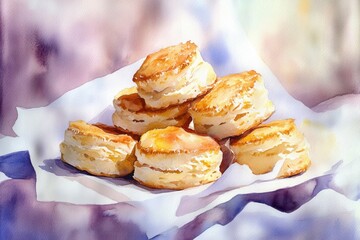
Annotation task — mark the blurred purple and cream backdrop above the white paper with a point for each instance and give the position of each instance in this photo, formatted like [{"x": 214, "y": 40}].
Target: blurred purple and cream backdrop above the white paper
[{"x": 49, "y": 47}]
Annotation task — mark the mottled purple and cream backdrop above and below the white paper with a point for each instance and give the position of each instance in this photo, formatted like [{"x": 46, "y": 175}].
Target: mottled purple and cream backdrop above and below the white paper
[{"x": 50, "y": 47}]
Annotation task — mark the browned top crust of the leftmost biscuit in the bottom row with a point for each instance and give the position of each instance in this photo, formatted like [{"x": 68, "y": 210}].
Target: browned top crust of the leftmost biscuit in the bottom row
[{"x": 100, "y": 131}]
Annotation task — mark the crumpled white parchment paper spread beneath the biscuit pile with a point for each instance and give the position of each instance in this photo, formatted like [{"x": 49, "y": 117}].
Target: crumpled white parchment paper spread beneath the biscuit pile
[{"x": 333, "y": 136}]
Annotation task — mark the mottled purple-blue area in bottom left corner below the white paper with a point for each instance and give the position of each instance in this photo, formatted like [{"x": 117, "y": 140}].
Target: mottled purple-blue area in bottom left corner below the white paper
[{"x": 23, "y": 217}]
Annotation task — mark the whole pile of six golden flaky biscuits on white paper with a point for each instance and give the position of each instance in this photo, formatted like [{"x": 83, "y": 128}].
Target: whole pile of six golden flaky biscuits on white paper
[{"x": 175, "y": 86}]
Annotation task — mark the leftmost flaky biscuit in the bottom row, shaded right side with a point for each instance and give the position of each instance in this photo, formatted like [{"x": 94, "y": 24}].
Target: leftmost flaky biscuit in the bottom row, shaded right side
[{"x": 98, "y": 149}]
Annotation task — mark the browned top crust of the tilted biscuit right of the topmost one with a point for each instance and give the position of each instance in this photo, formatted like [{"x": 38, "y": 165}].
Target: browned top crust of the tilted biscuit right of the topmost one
[{"x": 227, "y": 92}]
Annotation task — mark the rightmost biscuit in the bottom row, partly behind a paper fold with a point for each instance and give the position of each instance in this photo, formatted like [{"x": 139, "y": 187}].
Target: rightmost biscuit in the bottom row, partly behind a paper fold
[{"x": 262, "y": 147}]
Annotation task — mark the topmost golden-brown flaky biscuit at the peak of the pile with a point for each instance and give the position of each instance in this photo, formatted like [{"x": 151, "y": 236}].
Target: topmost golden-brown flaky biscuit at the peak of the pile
[{"x": 173, "y": 75}]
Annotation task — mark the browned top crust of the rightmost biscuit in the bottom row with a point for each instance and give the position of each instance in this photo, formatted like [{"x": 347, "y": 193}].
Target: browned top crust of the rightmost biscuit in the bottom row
[{"x": 264, "y": 132}]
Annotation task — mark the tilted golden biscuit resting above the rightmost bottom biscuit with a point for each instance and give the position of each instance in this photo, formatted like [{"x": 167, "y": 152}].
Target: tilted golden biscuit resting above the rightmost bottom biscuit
[{"x": 237, "y": 103}]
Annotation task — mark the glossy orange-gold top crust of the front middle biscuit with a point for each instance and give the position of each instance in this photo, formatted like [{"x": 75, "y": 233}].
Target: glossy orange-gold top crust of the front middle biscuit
[{"x": 175, "y": 140}]
